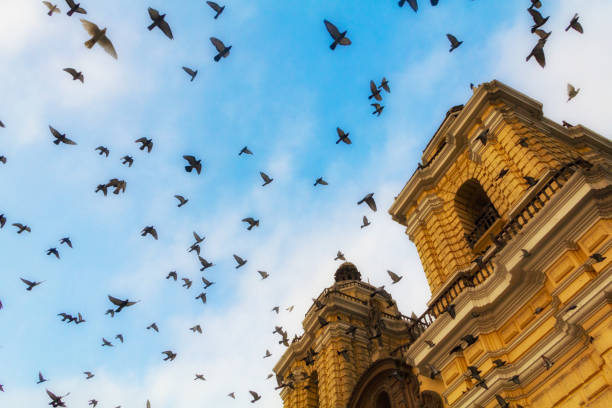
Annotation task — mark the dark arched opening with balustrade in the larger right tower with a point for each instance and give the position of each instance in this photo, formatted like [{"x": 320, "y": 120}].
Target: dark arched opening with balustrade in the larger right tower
[{"x": 475, "y": 210}]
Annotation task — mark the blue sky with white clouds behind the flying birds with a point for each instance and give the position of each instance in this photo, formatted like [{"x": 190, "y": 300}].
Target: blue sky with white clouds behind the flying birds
[{"x": 282, "y": 92}]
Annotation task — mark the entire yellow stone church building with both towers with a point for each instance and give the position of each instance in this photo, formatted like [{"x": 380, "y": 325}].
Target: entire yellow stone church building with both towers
[{"x": 511, "y": 214}]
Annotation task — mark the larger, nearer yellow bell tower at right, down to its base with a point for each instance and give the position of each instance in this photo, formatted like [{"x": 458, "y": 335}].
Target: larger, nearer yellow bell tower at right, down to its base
[{"x": 511, "y": 214}]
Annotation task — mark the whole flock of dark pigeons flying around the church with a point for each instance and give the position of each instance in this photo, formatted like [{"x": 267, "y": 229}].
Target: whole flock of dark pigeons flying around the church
[{"x": 117, "y": 186}]
